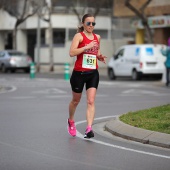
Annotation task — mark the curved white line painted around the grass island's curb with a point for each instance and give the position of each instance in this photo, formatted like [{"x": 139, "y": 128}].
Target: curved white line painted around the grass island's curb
[{"x": 116, "y": 146}]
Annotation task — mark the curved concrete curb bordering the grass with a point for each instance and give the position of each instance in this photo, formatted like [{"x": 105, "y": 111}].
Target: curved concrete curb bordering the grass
[{"x": 118, "y": 128}]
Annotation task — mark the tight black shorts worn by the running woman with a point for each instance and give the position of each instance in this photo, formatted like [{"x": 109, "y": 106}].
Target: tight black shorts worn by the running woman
[{"x": 79, "y": 78}]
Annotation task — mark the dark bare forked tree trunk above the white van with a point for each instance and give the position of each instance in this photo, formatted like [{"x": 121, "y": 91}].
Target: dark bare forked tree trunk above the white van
[{"x": 141, "y": 14}]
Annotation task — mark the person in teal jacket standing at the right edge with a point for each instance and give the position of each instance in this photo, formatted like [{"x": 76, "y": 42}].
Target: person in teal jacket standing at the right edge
[{"x": 166, "y": 53}]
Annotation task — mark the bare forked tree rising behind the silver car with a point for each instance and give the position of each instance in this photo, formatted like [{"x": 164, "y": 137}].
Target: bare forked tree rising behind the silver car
[{"x": 21, "y": 10}]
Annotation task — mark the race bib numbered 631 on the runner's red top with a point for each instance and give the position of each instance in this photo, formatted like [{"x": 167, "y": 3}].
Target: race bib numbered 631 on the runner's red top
[{"x": 89, "y": 61}]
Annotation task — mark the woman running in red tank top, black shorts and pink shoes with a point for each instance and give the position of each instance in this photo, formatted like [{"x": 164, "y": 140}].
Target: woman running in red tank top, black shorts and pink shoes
[{"x": 86, "y": 48}]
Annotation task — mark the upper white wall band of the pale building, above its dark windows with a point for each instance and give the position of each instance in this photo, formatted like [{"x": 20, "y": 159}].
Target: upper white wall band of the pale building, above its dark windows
[{"x": 58, "y": 21}]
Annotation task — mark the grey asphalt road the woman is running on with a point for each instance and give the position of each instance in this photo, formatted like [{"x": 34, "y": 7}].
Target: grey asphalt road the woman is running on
[{"x": 33, "y": 133}]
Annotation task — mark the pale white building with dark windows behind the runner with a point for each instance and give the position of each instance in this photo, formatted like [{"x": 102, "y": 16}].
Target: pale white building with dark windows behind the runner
[{"x": 64, "y": 25}]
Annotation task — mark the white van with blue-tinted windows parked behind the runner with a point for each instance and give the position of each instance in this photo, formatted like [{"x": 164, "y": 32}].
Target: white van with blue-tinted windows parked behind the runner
[{"x": 136, "y": 61}]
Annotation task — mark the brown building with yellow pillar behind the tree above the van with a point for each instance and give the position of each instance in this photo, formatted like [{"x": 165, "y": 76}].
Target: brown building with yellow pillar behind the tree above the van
[{"x": 158, "y": 14}]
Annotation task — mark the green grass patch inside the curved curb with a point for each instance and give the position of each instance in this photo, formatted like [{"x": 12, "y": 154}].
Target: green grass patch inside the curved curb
[{"x": 155, "y": 119}]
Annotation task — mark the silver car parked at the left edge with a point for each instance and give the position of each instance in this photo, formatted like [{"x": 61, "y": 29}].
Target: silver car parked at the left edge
[{"x": 13, "y": 60}]
